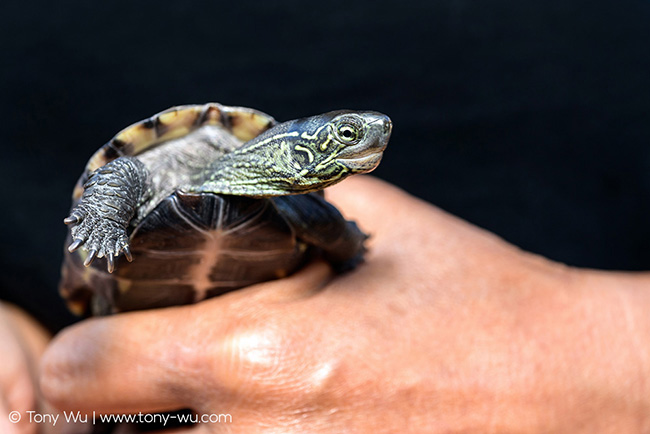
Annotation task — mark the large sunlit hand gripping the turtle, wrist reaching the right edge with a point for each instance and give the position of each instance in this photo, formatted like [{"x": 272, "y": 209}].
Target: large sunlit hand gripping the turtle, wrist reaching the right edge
[{"x": 444, "y": 328}]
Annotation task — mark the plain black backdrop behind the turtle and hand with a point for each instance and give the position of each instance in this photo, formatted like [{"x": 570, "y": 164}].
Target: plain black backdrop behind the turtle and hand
[{"x": 530, "y": 119}]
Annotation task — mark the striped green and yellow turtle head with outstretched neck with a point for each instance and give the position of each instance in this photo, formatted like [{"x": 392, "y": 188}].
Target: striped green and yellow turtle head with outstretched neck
[{"x": 304, "y": 155}]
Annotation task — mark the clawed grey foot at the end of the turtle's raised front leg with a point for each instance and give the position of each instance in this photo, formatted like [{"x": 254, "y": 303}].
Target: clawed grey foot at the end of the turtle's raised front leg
[{"x": 100, "y": 237}]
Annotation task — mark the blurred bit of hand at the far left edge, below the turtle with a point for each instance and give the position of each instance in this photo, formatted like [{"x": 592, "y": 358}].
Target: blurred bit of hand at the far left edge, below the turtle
[{"x": 22, "y": 341}]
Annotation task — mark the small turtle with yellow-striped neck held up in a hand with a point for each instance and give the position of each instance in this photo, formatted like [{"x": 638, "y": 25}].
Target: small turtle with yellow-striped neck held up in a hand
[{"x": 199, "y": 200}]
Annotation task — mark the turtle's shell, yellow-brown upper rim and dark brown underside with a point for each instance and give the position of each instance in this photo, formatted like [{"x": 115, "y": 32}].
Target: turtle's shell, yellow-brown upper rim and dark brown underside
[{"x": 191, "y": 246}]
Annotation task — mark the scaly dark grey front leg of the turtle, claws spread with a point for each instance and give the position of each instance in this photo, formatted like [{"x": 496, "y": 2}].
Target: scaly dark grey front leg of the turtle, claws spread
[{"x": 109, "y": 202}]
